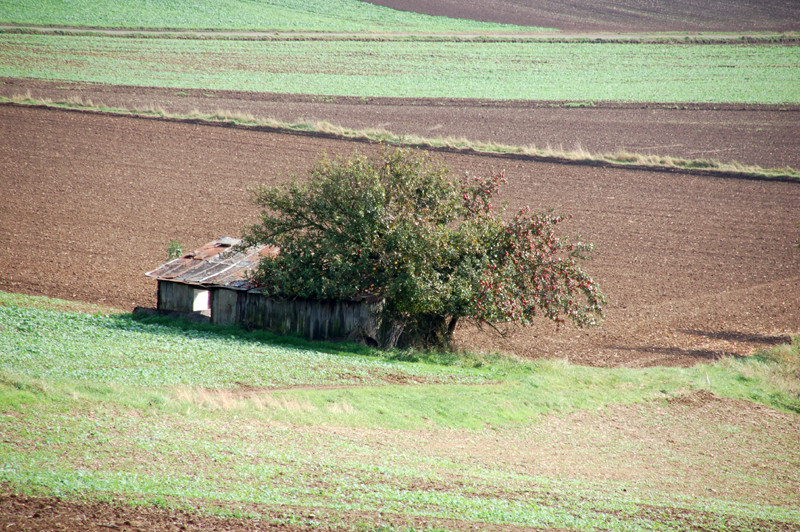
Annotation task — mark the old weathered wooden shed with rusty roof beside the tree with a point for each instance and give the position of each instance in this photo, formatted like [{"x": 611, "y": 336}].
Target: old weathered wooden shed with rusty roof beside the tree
[{"x": 216, "y": 281}]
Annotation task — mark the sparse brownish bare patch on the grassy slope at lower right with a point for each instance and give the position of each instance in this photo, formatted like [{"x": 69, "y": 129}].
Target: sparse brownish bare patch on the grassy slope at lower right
[{"x": 696, "y": 445}]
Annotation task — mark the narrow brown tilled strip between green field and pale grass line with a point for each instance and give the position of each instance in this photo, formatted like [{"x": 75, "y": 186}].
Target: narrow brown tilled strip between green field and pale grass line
[{"x": 768, "y": 136}]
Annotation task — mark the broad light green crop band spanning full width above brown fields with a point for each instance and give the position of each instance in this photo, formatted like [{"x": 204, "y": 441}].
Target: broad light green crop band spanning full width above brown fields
[{"x": 530, "y": 70}]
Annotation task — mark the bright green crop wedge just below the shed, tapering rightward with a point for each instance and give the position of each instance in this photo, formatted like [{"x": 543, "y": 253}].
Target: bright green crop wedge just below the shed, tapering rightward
[{"x": 139, "y": 351}]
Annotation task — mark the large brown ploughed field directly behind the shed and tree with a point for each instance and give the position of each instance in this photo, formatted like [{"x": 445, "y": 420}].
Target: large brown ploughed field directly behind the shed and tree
[{"x": 694, "y": 267}]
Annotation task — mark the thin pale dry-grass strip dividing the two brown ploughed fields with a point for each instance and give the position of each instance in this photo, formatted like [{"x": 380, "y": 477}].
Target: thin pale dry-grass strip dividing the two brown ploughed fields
[{"x": 620, "y": 159}]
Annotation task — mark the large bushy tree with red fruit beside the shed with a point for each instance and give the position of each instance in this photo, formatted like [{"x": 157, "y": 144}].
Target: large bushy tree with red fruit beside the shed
[{"x": 400, "y": 227}]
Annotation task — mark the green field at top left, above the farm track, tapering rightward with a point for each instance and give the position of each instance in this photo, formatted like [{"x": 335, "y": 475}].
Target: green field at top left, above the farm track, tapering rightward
[{"x": 263, "y": 15}]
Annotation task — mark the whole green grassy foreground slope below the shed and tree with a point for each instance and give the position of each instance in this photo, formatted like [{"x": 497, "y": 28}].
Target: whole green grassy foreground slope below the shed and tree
[{"x": 149, "y": 410}]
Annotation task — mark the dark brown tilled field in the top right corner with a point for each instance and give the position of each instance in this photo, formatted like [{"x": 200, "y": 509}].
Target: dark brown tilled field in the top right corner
[{"x": 618, "y": 15}]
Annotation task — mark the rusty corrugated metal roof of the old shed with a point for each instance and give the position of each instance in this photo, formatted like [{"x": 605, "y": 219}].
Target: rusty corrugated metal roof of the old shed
[{"x": 218, "y": 263}]
